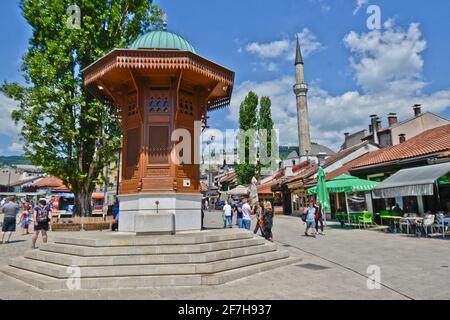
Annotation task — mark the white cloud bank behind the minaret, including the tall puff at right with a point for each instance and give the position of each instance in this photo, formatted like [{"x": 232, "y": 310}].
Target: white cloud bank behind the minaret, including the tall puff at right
[{"x": 388, "y": 66}]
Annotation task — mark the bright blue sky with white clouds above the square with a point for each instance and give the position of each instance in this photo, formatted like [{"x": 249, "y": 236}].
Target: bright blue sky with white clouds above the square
[{"x": 352, "y": 71}]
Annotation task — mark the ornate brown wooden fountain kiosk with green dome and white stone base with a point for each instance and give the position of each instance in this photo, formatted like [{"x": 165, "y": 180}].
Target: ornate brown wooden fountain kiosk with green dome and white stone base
[{"x": 159, "y": 85}]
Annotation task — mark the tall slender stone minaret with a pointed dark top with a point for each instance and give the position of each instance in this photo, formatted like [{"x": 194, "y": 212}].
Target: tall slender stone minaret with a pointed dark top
[{"x": 301, "y": 91}]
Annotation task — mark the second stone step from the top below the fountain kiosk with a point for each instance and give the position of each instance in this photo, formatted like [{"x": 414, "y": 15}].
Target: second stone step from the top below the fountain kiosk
[{"x": 83, "y": 251}]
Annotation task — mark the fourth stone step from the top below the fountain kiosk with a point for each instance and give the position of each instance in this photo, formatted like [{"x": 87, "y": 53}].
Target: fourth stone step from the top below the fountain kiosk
[{"x": 62, "y": 272}]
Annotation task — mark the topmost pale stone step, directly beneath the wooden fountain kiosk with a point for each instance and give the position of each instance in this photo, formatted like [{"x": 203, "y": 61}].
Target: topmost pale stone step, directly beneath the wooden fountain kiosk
[{"x": 123, "y": 240}]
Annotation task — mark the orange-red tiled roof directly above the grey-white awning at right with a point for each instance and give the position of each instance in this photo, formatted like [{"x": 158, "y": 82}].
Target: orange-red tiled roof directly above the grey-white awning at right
[{"x": 430, "y": 142}]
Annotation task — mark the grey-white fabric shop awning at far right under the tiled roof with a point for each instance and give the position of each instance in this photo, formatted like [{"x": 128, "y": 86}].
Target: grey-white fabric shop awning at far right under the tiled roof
[{"x": 418, "y": 181}]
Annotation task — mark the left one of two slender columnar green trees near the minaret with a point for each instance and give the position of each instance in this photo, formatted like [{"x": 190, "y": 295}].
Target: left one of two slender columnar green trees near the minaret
[{"x": 248, "y": 120}]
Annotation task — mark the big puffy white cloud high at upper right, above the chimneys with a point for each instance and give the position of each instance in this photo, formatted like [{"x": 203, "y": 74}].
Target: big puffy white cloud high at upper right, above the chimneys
[{"x": 389, "y": 59}]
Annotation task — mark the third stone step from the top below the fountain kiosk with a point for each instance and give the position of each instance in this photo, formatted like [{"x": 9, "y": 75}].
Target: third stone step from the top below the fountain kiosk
[{"x": 124, "y": 260}]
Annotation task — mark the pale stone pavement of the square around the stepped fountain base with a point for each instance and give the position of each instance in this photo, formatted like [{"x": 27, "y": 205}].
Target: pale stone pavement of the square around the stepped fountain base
[{"x": 334, "y": 266}]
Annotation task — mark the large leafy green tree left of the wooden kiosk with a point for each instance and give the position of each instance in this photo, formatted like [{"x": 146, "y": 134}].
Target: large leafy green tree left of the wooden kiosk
[{"x": 65, "y": 130}]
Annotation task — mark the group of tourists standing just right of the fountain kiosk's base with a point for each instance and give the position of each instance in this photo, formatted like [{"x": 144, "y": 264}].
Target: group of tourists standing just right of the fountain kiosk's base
[{"x": 262, "y": 212}]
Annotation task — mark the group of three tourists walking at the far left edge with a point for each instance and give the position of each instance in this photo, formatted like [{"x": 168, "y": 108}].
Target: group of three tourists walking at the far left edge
[{"x": 40, "y": 215}]
